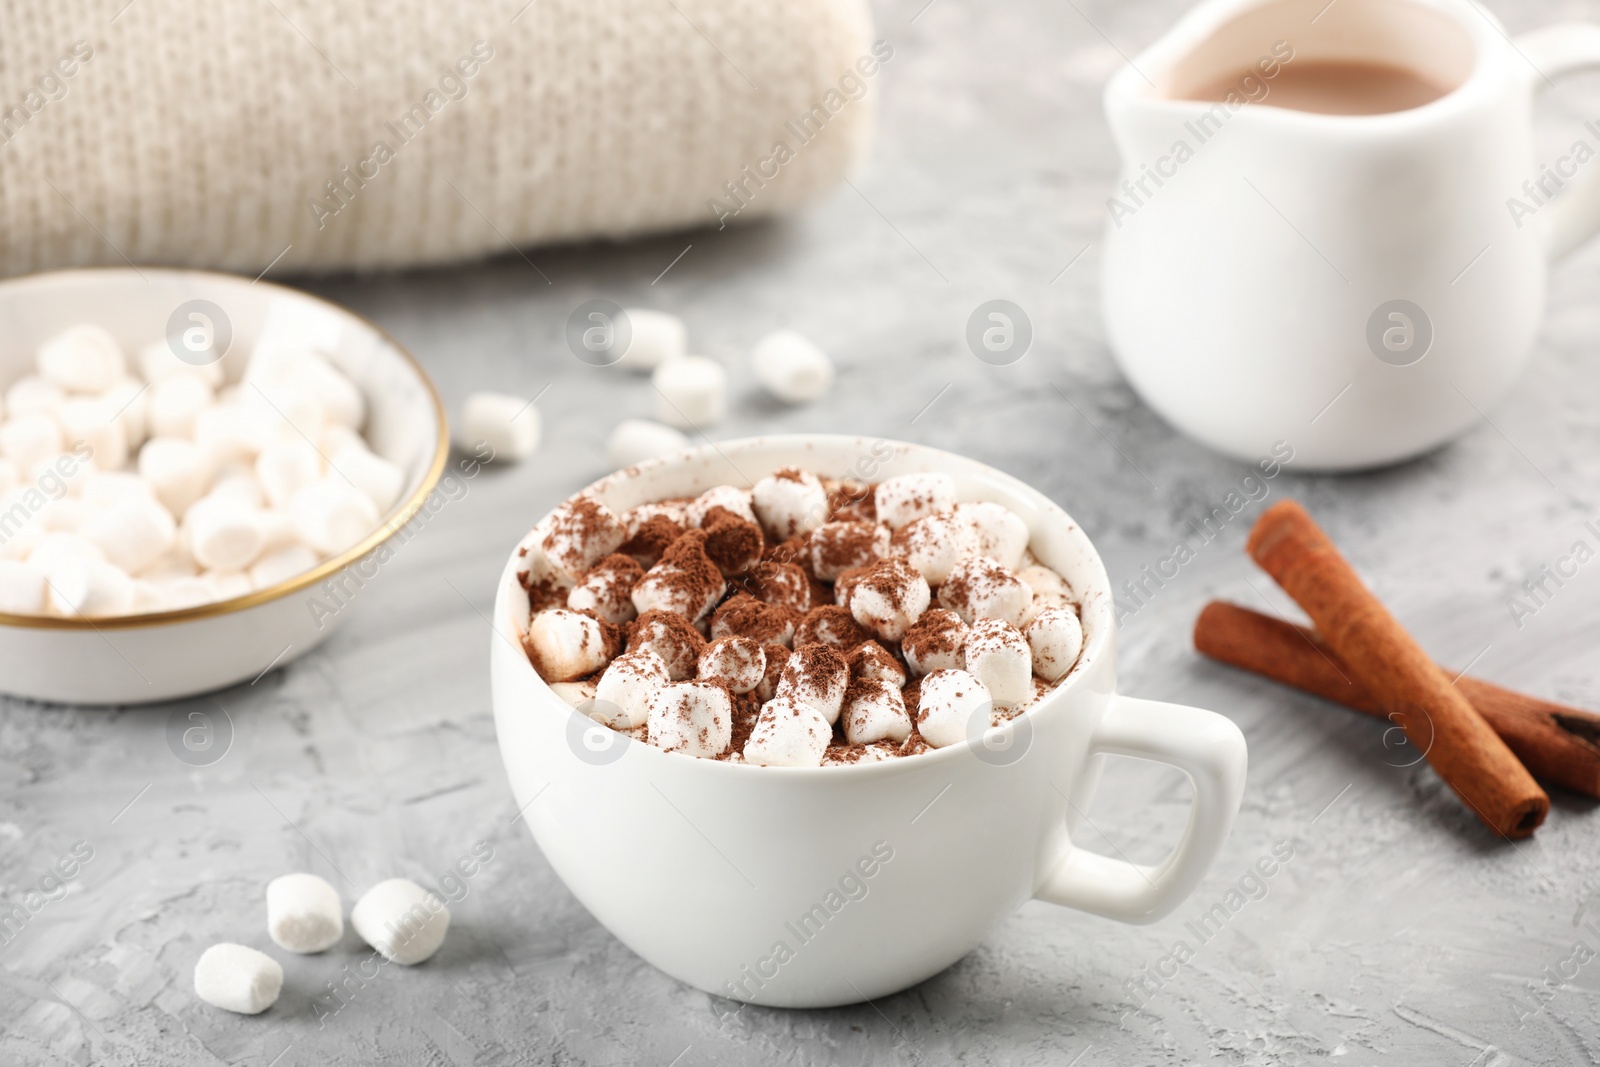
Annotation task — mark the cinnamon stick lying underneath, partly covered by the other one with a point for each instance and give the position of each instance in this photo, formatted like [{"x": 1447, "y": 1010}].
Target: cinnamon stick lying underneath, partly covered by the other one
[{"x": 1559, "y": 745}]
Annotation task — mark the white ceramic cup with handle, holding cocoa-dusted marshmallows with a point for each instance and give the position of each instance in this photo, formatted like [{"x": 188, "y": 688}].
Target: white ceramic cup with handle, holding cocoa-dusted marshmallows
[{"x": 814, "y": 887}]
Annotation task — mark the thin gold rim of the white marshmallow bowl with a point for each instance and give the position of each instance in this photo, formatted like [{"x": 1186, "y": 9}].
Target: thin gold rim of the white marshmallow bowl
[{"x": 257, "y": 597}]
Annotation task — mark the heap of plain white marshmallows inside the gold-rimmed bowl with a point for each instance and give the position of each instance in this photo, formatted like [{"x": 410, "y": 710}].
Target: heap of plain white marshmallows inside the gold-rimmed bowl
[{"x": 161, "y": 486}]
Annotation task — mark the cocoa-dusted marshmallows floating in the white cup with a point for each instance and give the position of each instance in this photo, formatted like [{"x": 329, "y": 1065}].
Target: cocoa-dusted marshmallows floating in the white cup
[{"x": 799, "y": 623}]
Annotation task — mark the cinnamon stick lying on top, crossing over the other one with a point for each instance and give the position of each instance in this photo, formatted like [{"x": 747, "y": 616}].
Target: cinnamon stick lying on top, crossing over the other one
[{"x": 1409, "y": 687}]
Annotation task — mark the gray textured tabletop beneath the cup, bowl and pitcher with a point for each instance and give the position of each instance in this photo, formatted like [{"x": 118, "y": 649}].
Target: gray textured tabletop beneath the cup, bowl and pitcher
[{"x": 1399, "y": 933}]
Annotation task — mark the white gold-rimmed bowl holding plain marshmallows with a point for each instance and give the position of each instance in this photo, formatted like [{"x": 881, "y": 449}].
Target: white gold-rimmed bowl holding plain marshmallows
[{"x": 134, "y": 660}]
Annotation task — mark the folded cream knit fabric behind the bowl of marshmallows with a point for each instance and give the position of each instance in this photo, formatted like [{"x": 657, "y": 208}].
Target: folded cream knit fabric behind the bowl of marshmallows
[{"x": 375, "y": 134}]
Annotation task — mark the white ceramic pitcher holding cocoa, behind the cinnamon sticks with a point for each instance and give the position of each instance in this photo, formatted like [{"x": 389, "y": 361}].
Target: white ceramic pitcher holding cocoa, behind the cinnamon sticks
[{"x": 1362, "y": 287}]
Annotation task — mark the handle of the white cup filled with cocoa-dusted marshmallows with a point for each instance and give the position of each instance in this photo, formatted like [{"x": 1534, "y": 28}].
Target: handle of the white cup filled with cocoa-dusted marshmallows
[{"x": 1204, "y": 746}]
